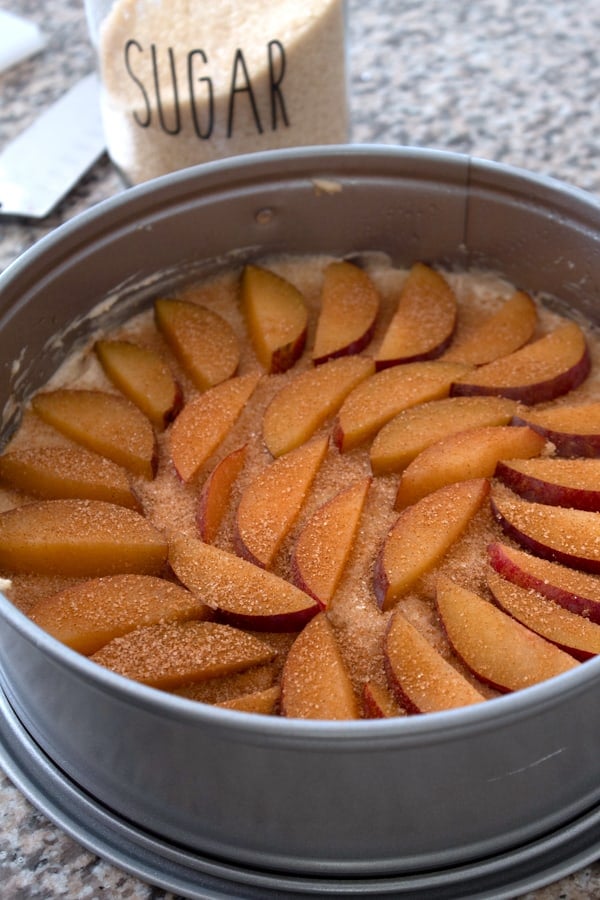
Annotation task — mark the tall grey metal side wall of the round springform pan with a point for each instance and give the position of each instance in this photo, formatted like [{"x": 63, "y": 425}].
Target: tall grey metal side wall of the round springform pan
[{"x": 363, "y": 800}]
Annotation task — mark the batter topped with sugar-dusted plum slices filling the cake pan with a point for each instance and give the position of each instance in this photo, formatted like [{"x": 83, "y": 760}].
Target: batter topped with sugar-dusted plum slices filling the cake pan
[{"x": 317, "y": 488}]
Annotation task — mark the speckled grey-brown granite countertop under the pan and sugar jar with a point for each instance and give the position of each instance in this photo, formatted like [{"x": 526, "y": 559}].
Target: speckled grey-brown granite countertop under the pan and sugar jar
[{"x": 512, "y": 80}]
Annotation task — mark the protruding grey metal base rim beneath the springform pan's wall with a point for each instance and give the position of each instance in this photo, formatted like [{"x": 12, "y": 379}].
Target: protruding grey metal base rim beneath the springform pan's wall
[{"x": 116, "y": 840}]
